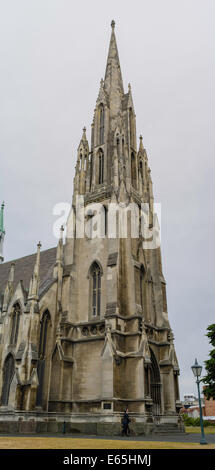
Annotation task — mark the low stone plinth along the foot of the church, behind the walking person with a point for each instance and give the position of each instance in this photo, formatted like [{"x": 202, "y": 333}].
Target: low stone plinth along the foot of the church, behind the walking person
[{"x": 22, "y": 422}]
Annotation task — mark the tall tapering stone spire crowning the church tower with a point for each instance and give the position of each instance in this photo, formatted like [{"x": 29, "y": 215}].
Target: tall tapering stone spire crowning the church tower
[{"x": 113, "y": 77}]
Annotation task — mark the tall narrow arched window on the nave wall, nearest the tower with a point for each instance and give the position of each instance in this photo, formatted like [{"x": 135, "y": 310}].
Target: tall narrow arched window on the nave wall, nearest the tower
[{"x": 45, "y": 323}]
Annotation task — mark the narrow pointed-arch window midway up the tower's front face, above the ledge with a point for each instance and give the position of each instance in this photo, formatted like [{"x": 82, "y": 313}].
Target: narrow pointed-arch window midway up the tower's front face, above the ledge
[{"x": 95, "y": 286}]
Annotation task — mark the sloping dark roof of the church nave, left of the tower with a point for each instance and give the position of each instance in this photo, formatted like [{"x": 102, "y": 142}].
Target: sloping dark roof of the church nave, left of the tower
[{"x": 24, "y": 268}]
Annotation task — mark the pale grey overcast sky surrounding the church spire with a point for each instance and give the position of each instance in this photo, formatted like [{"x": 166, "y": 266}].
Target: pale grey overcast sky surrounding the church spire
[{"x": 52, "y": 57}]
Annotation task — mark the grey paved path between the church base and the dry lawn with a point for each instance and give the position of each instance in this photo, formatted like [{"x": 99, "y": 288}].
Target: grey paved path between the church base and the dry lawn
[{"x": 182, "y": 437}]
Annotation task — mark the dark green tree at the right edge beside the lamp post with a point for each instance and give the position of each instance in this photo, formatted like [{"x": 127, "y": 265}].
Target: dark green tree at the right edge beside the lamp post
[{"x": 209, "y": 379}]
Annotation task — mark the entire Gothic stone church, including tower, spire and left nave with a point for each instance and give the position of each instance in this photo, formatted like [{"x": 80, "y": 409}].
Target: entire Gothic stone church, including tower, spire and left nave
[{"x": 84, "y": 329}]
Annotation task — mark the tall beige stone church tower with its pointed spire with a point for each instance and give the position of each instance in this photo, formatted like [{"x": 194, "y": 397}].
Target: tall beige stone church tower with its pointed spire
[{"x": 116, "y": 309}]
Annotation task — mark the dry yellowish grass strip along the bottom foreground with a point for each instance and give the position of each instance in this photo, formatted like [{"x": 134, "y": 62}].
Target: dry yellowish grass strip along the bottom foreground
[{"x": 74, "y": 443}]
